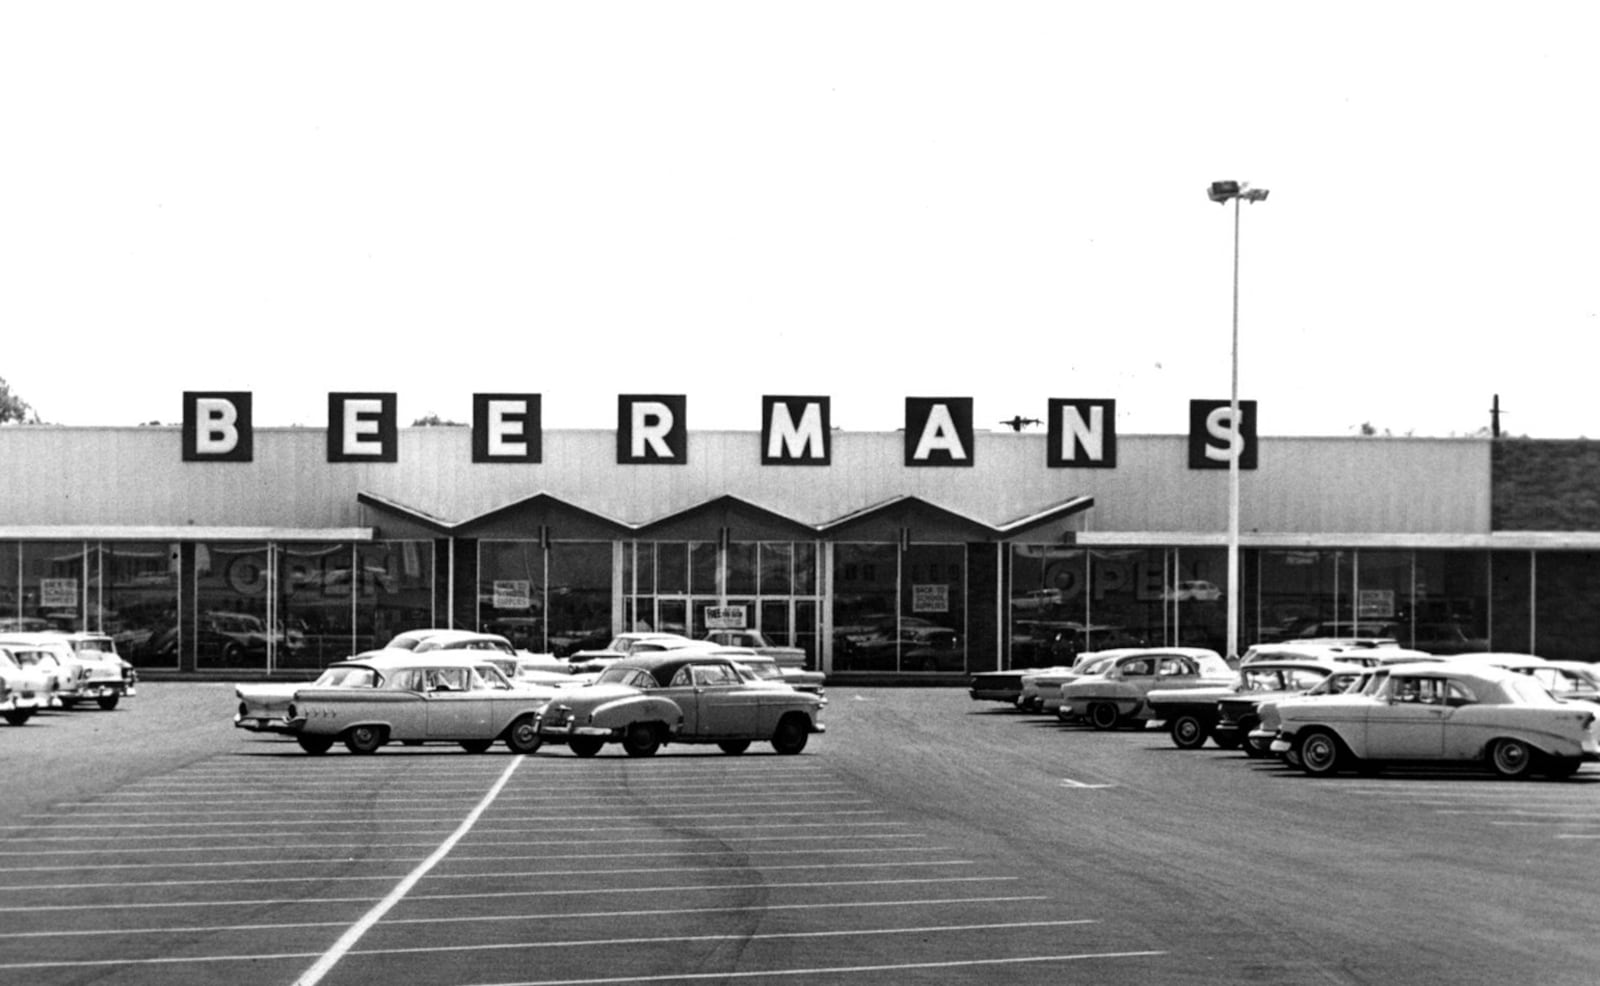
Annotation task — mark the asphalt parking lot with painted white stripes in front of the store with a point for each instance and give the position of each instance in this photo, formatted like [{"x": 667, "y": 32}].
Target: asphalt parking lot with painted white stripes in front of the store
[{"x": 924, "y": 840}]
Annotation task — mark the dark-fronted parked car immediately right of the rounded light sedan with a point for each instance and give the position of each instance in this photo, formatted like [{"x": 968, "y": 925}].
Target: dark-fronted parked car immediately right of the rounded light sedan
[{"x": 1226, "y": 713}]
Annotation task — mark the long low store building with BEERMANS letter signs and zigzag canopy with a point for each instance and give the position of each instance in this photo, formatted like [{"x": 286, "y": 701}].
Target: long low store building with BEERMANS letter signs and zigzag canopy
[{"x": 935, "y": 550}]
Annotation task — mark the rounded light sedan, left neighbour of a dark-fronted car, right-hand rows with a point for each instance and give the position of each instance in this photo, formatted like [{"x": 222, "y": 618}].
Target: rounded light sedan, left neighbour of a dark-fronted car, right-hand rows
[{"x": 1118, "y": 692}]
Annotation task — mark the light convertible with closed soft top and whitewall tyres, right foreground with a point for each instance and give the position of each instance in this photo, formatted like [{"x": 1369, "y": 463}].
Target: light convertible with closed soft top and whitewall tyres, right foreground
[{"x": 1442, "y": 713}]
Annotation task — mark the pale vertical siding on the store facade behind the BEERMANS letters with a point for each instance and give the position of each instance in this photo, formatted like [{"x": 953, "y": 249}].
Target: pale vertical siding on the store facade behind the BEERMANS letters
[{"x": 60, "y": 476}]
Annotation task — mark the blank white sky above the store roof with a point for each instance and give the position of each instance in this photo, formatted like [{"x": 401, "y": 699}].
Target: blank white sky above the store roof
[{"x": 870, "y": 201}]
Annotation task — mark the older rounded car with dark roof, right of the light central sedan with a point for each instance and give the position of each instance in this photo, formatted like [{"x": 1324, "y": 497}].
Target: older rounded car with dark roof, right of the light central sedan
[{"x": 679, "y": 697}]
